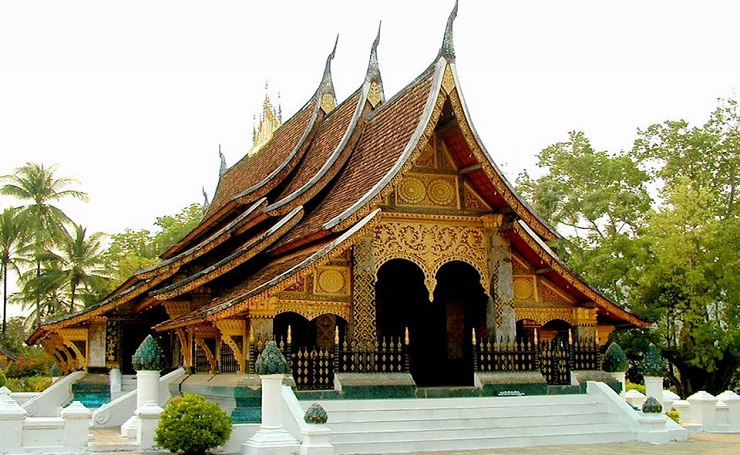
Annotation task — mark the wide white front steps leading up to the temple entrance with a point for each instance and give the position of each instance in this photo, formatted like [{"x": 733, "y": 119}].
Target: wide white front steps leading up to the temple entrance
[{"x": 413, "y": 425}]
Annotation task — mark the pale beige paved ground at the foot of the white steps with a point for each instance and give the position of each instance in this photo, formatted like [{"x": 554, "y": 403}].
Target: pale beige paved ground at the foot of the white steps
[{"x": 698, "y": 444}]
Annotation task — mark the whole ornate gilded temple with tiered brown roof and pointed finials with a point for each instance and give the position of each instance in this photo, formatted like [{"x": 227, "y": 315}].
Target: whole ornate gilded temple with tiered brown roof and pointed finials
[{"x": 366, "y": 235}]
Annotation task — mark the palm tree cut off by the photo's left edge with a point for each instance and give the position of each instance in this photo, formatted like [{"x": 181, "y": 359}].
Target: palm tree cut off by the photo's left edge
[{"x": 14, "y": 251}]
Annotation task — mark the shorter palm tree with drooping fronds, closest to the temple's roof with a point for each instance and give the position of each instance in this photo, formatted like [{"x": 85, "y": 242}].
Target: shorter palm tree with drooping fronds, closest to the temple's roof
[{"x": 74, "y": 269}]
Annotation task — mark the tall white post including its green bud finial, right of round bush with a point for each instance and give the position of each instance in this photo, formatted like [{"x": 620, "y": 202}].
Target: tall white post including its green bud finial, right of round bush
[{"x": 272, "y": 438}]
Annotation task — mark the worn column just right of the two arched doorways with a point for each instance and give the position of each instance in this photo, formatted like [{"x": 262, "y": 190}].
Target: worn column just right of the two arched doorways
[{"x": 500, "y": 317}]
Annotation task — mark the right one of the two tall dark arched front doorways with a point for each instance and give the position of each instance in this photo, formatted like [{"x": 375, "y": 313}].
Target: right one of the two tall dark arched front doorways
[{"x": 459, "y": 307}]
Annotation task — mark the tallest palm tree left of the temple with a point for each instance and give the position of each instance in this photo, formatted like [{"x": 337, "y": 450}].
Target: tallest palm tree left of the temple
[{"x": 45, "y": 222}]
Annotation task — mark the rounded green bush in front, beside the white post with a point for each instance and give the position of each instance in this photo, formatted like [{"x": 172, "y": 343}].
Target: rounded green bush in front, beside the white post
[{"x": 193, "y": 425}]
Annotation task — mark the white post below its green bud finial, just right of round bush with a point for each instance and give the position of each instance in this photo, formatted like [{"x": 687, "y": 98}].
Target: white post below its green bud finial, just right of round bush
[{"x": 272, "y": 438}]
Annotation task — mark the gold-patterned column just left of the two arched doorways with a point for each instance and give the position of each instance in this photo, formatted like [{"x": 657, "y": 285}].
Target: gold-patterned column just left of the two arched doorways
[{"x": 364, "y": 330}]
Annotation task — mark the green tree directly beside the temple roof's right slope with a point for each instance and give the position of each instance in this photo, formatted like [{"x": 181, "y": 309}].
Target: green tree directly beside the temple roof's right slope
[{"x": 600, "y": 201}]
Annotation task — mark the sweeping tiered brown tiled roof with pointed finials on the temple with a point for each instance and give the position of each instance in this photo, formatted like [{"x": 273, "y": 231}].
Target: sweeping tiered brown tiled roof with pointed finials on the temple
[{"x": 321, "y": 182}]
